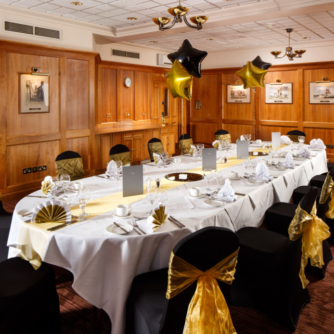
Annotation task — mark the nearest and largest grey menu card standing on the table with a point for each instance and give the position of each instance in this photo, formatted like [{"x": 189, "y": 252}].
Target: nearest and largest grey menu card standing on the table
[{"x": 133, "y": 180}]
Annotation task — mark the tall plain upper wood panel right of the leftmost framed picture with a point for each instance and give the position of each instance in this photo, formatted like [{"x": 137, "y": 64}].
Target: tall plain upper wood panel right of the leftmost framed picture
[{"x": 77, "y": 91}]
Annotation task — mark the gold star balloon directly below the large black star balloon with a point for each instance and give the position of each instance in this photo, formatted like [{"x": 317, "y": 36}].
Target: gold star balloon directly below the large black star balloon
[{"x": 179, "y": 81}]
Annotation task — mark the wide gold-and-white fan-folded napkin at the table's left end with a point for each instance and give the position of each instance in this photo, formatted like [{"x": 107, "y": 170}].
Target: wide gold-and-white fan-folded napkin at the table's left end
[{"x": 52, "y": 212}]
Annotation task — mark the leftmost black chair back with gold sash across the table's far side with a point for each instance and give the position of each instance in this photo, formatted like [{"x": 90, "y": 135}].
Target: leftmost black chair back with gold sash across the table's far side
[{"x": 70, "y": 163}]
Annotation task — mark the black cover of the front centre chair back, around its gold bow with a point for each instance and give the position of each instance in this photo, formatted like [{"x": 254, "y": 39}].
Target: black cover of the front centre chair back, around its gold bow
[{"x": 203, "y": 249}]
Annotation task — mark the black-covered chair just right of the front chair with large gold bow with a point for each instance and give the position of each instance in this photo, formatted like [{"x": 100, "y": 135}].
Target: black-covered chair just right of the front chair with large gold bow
[{"x": 267, "y": 276}]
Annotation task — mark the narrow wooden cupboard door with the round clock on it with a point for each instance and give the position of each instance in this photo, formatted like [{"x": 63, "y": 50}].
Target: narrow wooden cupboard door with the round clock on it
[{"x": 125, "y": 95}]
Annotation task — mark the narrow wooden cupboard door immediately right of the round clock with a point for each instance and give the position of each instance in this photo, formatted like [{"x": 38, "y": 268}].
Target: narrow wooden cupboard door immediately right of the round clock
[{"x": 142, "y": 96}]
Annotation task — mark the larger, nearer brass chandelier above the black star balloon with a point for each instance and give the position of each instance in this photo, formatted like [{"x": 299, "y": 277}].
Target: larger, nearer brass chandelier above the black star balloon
[{"x": 179, "y": 14}]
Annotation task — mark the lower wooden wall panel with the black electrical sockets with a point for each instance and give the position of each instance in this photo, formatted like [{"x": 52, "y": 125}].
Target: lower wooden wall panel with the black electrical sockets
[{"x": 30, "y": 155}]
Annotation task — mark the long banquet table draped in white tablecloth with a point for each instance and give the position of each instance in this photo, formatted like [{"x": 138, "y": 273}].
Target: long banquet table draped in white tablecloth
[{"x": 104, "y": 264}]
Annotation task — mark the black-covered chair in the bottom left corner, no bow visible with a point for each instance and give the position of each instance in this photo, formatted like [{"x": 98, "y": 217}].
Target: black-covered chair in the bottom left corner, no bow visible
[{"x": 29, "y": 301}]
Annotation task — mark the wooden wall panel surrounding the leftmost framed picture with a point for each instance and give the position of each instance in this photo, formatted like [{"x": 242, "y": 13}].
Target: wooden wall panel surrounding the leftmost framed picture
[{"x": 37, "y": 123}]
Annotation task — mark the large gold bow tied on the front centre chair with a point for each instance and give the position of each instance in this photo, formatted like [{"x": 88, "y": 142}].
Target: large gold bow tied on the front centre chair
[{"x": 208, "y": 311}]
